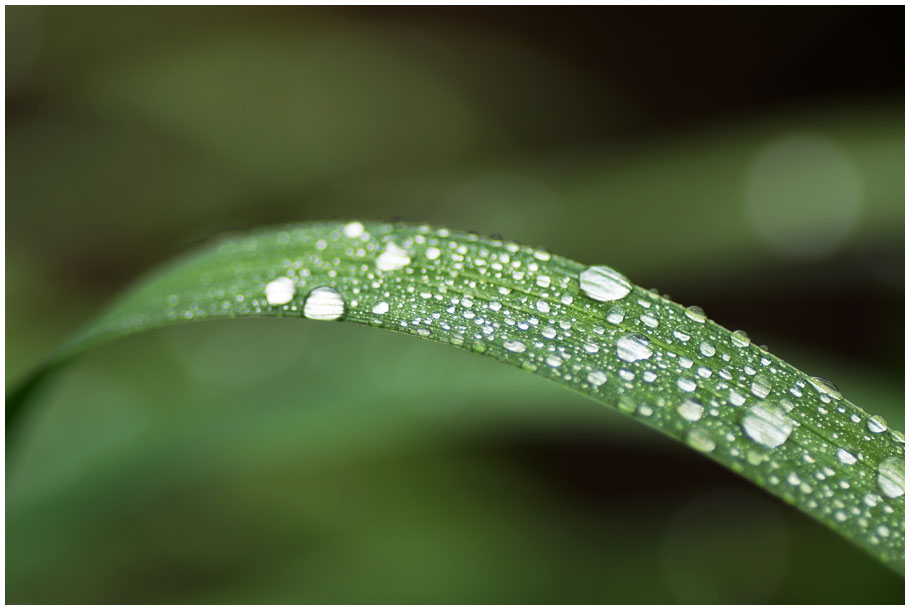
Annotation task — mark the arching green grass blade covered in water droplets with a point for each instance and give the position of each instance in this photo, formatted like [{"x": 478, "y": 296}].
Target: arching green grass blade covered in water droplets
[{"x": 587, "y": 328}]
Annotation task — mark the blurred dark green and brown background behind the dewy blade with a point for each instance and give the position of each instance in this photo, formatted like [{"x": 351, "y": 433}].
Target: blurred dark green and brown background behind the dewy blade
[{"x": 747, "y": 160}]
